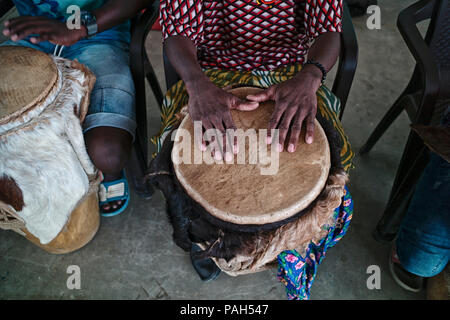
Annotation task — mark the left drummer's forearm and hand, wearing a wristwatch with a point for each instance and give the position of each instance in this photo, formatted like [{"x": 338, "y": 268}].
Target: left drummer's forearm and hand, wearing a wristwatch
[{"x": 112, "y": 13}]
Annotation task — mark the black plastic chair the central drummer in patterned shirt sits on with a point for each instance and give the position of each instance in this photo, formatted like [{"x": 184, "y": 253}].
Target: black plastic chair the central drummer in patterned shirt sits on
[{"x": 348, "y": 59}]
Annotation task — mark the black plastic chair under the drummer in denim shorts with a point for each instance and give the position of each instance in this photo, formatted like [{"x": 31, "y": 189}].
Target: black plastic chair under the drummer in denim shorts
[{"x": 141, "y": 70}]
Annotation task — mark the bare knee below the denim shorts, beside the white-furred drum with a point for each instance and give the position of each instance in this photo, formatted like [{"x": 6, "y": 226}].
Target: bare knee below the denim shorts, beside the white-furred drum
[{"x": 109, "y": 153}]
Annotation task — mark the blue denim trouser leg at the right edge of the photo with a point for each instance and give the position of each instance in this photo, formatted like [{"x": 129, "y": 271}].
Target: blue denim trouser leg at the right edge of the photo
[{"x": 423, "y": 243}]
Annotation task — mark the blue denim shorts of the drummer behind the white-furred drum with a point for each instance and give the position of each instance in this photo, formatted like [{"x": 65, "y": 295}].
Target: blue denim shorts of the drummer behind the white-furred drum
[{"x": 113, "y": 96}]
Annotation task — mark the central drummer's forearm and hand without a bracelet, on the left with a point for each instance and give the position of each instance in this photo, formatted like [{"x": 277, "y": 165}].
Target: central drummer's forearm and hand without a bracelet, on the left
[{"x": 207, "y": 103}]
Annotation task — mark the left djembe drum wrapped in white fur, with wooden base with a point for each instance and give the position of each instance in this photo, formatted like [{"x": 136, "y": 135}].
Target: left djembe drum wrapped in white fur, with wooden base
[{"x": 48, "y": 185}]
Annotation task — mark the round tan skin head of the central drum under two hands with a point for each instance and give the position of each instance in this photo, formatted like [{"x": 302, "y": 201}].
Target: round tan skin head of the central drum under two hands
[{"x": 239, "y": 193}]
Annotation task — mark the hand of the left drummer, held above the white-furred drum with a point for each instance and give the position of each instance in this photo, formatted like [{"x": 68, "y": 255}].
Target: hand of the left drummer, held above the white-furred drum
[{"x": 42, "y": 29}]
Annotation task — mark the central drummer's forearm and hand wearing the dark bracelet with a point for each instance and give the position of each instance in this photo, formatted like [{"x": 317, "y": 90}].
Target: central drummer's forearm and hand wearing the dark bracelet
[{"x": 295, "y": 99}]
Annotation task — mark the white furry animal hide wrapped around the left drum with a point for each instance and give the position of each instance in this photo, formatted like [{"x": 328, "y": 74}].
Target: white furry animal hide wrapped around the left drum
[{"x": 45, "y": 154}]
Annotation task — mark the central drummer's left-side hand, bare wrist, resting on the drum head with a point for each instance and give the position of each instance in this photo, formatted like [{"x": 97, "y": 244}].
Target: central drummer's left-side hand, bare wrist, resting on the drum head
[{"x": 211, "y": 105}]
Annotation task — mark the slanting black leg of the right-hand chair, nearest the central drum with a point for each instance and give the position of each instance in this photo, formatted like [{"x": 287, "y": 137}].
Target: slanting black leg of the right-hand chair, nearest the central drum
[{"x": 385, "y": 123}]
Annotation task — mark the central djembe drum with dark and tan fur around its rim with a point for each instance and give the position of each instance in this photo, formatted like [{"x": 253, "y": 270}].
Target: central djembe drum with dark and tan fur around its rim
[{"x": 239, "y": 217}]
